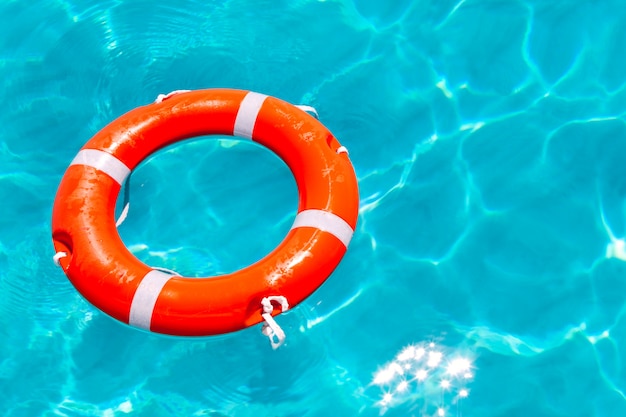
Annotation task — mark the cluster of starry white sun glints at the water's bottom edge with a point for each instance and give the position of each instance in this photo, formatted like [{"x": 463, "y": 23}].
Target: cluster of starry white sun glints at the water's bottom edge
[{"x": 434, "y": 377}]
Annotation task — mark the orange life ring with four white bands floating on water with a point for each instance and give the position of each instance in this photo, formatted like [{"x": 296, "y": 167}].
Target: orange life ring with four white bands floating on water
[{"x": 108, "y": 275}]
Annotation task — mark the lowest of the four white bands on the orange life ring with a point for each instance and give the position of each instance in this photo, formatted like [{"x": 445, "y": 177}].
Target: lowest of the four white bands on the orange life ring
[{"x": 145, "y": 298}]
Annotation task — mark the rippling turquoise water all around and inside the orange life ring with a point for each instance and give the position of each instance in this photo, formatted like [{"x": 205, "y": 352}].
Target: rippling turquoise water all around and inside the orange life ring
[{"x": 487, "y": 276}]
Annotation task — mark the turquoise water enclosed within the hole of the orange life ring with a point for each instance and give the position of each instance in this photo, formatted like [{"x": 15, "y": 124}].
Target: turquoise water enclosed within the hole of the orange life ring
[{"x": 208, "y": 206}]
